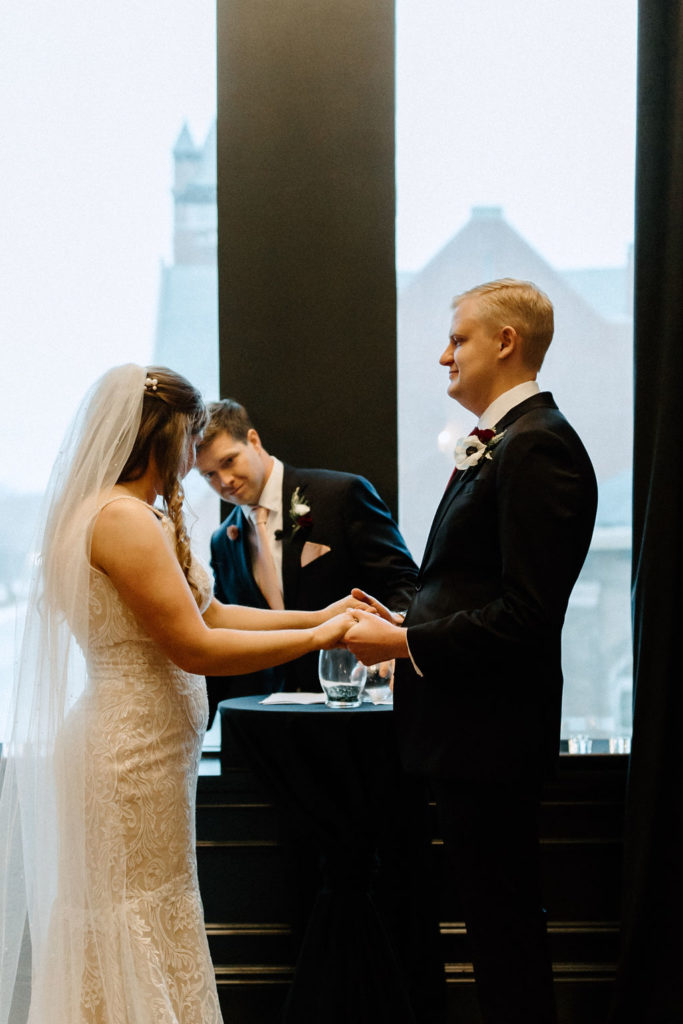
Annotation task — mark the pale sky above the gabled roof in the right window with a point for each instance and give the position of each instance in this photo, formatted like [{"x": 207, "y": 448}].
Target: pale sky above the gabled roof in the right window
[{"x": 529, "y": 106}]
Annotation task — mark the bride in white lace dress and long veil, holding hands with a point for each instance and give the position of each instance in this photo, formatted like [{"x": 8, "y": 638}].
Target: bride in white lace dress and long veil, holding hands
[{"x": 99, "y": 889}]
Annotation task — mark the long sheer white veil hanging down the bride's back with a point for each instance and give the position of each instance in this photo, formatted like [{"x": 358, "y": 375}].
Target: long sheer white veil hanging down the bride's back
[{"x": 42, "y": 771}]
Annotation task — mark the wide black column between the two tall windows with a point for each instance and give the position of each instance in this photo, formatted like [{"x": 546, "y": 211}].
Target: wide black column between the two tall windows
[{"x": 307, "y": 229}]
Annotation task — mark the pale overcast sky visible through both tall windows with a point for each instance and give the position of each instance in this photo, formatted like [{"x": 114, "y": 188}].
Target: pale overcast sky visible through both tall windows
[{"x": 529, "y": 106}]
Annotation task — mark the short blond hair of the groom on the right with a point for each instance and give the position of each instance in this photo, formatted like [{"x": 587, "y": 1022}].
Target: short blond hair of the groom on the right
[{"x": 522, "y": 306}]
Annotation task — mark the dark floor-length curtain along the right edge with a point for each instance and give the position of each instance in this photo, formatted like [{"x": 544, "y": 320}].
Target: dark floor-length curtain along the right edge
[{"x": 651, "y": 979}]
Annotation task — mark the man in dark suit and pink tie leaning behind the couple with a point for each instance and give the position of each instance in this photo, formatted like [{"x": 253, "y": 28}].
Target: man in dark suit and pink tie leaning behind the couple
[{"x": 295, "y": 539}]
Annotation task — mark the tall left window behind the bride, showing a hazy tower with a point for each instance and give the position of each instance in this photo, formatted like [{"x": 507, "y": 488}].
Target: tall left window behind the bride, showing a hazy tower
[{"x": 108, "y": 244}]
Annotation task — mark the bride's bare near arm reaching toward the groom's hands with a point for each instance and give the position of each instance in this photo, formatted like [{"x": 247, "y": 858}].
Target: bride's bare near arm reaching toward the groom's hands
[{"x": 130, "y": 545}]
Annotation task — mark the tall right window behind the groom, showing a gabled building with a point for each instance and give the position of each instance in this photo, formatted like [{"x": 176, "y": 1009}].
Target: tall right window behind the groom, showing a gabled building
[{"x": 516, "y": 158}]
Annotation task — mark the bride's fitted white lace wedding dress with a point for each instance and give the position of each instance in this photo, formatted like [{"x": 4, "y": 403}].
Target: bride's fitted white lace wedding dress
[{"x": 138, "y": 930}]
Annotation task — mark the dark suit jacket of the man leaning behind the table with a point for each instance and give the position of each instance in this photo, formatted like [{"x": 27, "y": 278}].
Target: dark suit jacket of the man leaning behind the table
[{"x": 366, "y": 550}]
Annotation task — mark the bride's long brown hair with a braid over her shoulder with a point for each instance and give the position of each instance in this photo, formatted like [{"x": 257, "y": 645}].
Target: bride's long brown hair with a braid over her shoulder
[{"x": 173, "y": 413}]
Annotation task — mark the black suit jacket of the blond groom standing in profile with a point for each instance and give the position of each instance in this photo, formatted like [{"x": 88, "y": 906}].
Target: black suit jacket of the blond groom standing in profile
[{"x": 506, "y": 546}]
